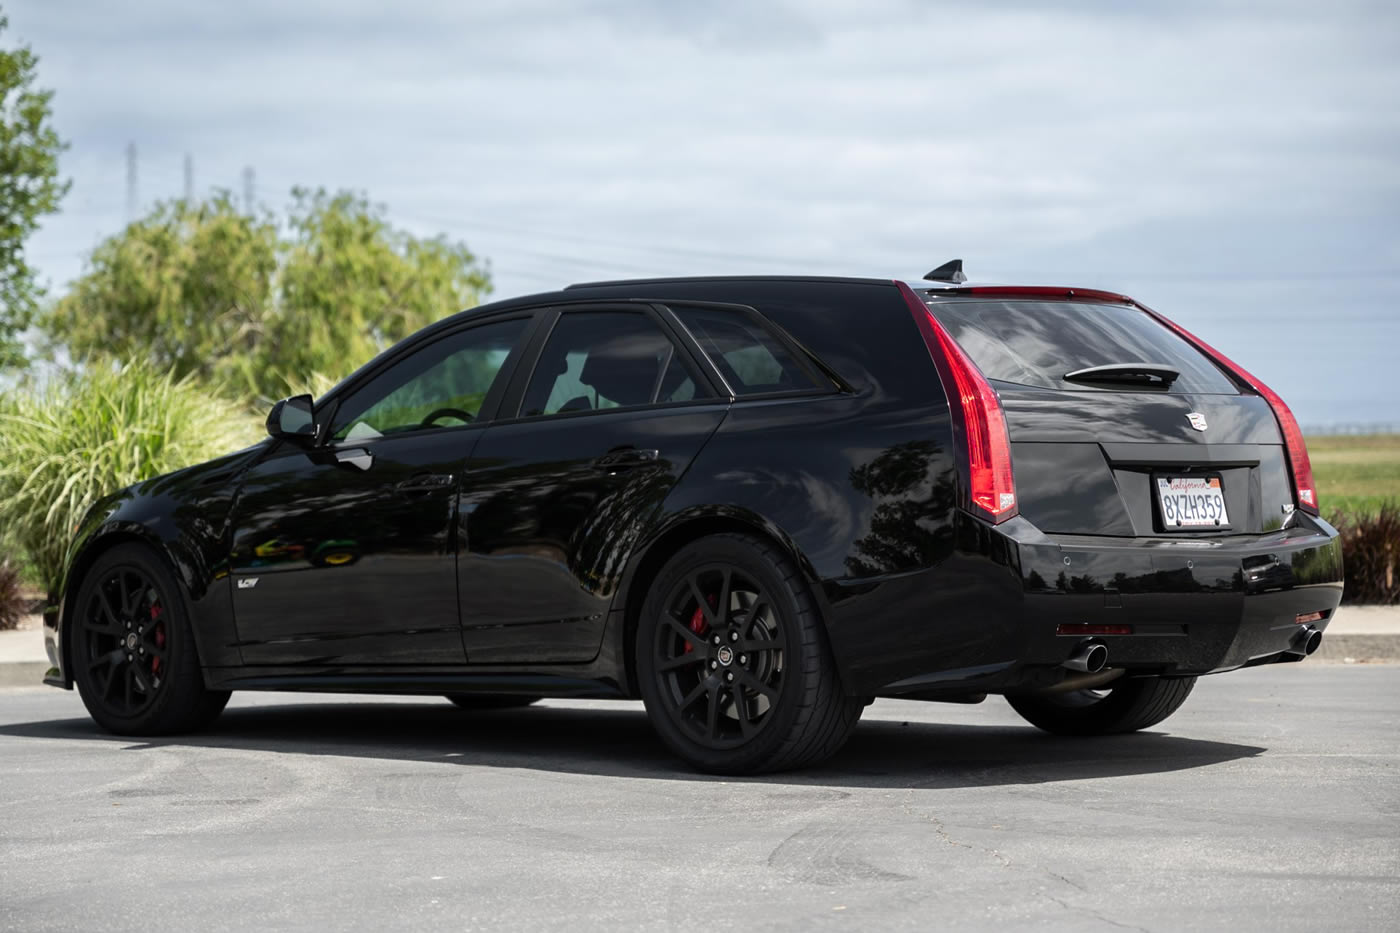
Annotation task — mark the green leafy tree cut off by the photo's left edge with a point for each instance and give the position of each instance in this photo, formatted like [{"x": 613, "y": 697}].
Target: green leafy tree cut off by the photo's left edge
[{"x": 30, "y": 188}]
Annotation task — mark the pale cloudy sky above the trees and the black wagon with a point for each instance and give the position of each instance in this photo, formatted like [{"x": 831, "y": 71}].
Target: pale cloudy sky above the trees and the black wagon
[{"x": 1234, "y": 165}]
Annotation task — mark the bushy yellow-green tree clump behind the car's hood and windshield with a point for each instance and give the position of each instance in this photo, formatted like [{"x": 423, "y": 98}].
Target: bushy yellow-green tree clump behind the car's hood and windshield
[{"x": 258, "y": 307}]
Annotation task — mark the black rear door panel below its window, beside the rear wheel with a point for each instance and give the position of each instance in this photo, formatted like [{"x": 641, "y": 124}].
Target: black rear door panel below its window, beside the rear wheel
[{"x": 551, "y": 512}]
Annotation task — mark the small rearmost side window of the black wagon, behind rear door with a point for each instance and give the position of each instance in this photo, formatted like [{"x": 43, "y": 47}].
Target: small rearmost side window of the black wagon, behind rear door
[{"x": 750, "y": 358}]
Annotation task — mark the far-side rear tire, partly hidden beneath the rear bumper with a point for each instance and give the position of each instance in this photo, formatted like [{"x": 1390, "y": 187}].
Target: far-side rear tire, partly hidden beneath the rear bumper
[{"x": 1128, "y": 708}]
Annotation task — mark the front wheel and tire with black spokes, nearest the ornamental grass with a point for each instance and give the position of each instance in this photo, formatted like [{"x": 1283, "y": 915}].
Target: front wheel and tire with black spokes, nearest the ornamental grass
[{"x": 134, "y": 651}]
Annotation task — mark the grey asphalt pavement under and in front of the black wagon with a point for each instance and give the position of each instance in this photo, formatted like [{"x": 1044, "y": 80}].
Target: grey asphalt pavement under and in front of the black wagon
[{"x": 1272, "y": 802}]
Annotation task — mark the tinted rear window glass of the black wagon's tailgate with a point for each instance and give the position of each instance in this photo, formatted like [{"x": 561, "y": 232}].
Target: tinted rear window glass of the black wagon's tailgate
[{"x": 1038, "y": 343}]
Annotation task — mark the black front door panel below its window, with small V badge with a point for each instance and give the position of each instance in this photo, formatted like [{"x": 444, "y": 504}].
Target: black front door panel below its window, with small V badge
[{"x": 341, "y": 565}]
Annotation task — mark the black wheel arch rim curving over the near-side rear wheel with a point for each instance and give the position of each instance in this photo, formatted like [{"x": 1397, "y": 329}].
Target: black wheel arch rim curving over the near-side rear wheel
[{"x": 677, "y": 534}]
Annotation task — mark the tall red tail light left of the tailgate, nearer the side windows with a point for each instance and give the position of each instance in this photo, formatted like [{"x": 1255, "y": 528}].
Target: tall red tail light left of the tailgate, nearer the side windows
[{"x": 979, "y": 425}]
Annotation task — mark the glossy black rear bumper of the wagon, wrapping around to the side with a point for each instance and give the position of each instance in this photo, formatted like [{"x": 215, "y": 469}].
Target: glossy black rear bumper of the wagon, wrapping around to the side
[{"x": 1196, "y": 606}]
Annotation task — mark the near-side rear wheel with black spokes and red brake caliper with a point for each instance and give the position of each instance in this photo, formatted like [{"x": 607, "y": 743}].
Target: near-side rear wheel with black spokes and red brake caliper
[{"x": 772, "y": 696}]
